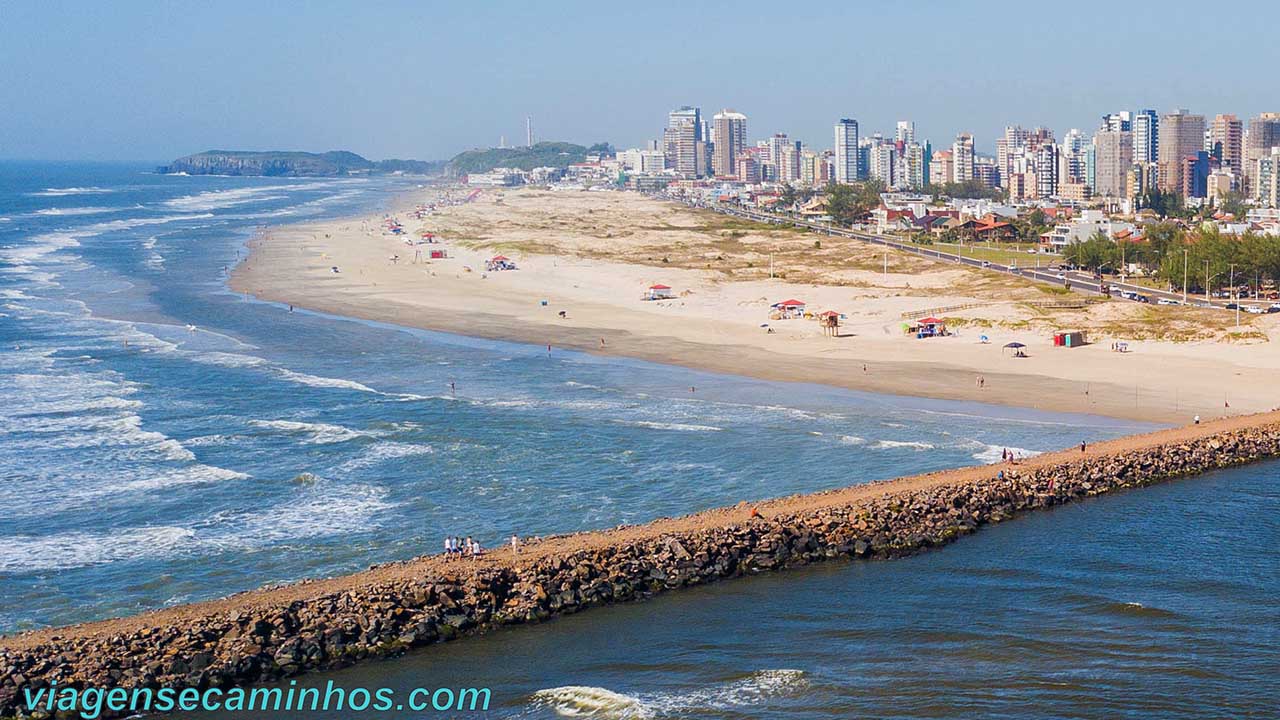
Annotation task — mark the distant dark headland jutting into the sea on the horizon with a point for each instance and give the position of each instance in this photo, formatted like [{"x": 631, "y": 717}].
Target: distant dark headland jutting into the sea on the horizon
[{"x": 290, "y": 165}]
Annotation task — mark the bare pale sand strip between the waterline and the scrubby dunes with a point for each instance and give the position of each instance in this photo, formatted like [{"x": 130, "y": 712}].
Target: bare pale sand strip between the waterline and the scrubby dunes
[{"x": 290, "y": 266}]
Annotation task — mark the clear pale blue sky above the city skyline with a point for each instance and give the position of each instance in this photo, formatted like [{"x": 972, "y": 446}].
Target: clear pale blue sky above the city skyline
[{"x": 427, "y": 80}]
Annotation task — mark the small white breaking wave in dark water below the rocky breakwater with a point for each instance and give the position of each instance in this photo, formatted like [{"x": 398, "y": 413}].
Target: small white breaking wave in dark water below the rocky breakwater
[{"x": 757, "y": 689}]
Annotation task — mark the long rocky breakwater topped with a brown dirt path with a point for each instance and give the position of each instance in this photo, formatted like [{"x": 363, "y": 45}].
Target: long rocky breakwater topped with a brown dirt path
[{"x": 268, "y": 635}]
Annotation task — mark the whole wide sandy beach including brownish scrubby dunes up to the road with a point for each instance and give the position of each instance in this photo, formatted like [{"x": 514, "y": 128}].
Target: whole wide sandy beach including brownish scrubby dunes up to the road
[{"x": 592, "y": 257}]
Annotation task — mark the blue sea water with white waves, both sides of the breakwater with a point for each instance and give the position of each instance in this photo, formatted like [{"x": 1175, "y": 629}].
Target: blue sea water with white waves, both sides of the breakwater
[{"x": 164, "y": 440}]
